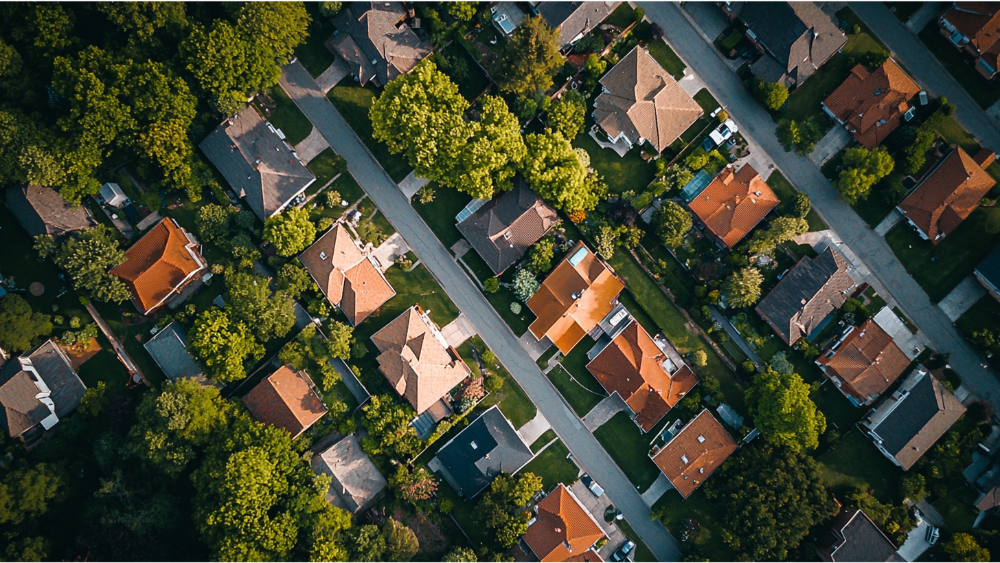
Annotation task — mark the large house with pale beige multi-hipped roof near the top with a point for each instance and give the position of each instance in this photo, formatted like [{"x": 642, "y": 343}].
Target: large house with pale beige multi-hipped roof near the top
[{"x": 640, "y": 102}]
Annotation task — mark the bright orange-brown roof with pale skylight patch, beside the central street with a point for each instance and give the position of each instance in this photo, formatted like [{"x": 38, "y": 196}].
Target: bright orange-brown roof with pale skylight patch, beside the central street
[{"x": 576, "y": 296}]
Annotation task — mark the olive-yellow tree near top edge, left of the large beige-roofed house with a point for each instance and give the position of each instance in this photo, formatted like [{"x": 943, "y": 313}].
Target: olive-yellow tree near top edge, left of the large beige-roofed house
[{"x": 530, "y": 58}]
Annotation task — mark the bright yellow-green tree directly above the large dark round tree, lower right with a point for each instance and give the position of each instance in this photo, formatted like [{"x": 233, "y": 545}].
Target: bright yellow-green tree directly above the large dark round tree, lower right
[{"x": 783, "y": 412}]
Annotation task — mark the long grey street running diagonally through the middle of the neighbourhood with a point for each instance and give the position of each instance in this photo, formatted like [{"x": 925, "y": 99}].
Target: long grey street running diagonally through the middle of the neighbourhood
[{"x": 497, "y": 335}]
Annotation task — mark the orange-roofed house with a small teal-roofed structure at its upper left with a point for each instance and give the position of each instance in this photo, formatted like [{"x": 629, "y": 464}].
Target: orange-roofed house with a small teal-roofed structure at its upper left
[{"x": 733, "y": 203}]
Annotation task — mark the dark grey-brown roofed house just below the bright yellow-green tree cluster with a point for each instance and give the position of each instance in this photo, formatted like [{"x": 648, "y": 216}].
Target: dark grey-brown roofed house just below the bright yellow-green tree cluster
[{"x": 503, "y": 229}]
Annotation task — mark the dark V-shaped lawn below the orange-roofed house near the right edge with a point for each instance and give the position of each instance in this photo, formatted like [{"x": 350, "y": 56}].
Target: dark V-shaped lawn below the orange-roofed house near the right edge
[{"x": 939, "y": 268}]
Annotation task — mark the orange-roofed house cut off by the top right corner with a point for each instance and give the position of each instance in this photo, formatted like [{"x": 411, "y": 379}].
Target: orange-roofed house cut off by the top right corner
[{"x": 974, "y": 27}]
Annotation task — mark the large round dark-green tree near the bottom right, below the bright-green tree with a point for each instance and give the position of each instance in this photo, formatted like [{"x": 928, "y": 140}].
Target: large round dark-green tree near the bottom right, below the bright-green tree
[{"x": 769, "y": 497}]
